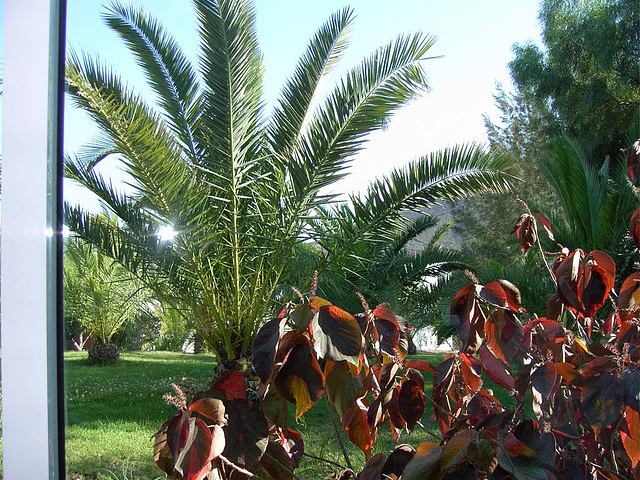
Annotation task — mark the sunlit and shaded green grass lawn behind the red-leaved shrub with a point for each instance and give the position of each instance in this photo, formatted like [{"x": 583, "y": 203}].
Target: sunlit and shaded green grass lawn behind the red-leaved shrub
[{"x": 113, "y": 411}]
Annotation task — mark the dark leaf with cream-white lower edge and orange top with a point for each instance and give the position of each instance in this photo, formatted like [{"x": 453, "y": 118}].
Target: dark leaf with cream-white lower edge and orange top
[{"x": 337, "y": 335}]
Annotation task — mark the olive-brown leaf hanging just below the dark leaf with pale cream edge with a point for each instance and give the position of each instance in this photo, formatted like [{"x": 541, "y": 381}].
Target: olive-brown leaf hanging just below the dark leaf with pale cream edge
[{"x": 343, "y": 388}]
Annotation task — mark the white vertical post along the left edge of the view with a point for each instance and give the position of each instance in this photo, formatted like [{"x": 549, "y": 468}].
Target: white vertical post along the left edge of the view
[{"x": 29, "y": 197}]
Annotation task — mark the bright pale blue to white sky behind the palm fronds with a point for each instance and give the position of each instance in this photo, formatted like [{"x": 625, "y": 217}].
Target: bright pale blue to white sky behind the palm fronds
[{"x": 475, "y": 42}]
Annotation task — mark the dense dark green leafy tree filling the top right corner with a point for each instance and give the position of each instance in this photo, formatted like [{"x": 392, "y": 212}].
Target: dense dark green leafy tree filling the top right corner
[{"x": 587, "y": 74}]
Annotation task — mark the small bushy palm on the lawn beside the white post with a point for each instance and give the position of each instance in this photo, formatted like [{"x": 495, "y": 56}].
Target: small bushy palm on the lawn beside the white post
[{"x": 100, "y": 294}]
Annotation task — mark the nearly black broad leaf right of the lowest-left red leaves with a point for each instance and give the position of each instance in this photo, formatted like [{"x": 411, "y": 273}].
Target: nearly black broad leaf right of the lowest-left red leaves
[{"x": 246, "y": 433}]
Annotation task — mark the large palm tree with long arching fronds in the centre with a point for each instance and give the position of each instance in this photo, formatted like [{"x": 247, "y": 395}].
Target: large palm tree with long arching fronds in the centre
[{"x": 239, "y": 187}]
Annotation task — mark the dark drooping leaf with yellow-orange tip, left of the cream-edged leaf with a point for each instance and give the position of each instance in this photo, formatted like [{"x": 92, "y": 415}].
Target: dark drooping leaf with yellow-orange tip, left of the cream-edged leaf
[{"x": 298, "y": 378}]
